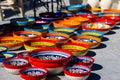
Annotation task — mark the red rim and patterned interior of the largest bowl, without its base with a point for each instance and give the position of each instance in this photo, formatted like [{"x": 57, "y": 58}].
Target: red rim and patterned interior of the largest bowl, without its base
[{"x": 50, "y": 55}]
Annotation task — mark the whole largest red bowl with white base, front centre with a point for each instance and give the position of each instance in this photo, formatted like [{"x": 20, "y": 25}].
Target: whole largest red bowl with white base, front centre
[{"x": 51, "y": 58}]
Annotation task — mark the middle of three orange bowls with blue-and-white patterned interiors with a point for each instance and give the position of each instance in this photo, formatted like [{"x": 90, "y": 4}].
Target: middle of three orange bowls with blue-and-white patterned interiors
[{"x": 58, "y": 37}]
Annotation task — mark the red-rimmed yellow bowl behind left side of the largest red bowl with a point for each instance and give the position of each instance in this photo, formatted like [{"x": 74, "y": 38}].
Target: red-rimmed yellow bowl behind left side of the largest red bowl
[{"x": 38, "y": 44}]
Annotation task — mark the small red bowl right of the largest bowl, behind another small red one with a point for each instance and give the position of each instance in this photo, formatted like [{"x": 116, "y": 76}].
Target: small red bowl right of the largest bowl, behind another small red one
[{"x": 85, "y": 60}]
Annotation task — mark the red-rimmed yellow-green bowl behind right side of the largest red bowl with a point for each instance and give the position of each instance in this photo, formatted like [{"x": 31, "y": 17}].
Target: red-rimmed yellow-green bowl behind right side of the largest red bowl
[{"x": 75, "y": 48}]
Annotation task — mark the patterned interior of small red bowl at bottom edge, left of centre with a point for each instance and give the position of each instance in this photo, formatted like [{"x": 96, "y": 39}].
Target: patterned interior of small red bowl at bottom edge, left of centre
[{"x": 34, "y": 71}]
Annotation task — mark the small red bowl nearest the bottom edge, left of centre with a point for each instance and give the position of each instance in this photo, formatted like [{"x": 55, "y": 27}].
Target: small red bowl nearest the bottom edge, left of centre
[{"x": 33, "y": 73}]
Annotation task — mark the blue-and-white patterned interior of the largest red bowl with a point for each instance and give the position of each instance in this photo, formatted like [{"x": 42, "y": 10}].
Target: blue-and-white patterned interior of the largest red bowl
[{"x": 50, "y": 55}]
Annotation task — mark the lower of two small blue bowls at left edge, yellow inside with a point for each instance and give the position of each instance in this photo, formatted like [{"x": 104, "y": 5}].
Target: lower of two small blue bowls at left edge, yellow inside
[{"x": 5, "y": 55}]
